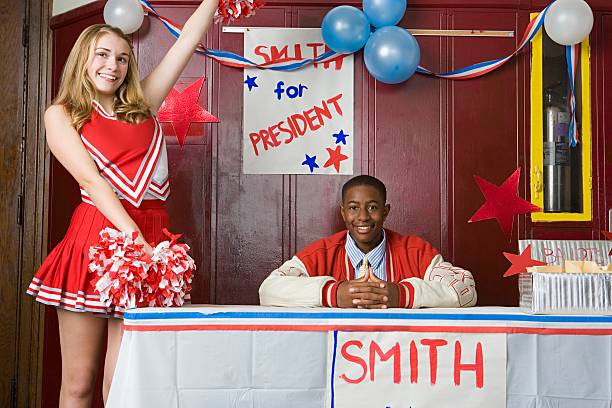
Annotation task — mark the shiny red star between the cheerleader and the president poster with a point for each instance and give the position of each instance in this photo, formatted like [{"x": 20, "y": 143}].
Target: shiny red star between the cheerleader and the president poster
[{"x": 181, "y": 109}]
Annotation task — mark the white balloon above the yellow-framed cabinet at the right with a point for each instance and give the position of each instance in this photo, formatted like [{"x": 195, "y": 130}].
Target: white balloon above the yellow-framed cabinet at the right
[{"x": 568, "y": 22}]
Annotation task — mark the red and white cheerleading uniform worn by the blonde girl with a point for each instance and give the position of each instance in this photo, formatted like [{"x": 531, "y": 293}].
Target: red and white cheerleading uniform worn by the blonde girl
[{"x": 133, "y": 159}]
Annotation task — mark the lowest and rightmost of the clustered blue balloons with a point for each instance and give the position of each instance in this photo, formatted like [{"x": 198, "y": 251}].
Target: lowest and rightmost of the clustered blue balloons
[{"x": 392, "y": 55}]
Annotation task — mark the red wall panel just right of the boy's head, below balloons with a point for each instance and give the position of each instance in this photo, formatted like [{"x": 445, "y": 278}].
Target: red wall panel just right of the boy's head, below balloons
[{"x": 408, "y": 137}]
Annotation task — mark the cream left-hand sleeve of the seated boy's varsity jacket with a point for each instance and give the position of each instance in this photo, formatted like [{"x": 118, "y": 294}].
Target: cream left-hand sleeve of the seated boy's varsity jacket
[{"x": 290, "y": 285}]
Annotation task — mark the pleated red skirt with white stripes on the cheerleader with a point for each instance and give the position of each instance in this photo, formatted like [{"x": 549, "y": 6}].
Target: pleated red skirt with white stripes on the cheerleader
[{"x": 63, "y": 279}]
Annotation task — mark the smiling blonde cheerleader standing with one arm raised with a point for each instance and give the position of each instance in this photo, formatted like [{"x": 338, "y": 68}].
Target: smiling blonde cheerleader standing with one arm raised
[{"x": 102, "y": 128}]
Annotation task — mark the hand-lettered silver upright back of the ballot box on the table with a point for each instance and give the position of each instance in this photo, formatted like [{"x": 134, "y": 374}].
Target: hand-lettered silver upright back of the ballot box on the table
[{"x": 556, "y": 252}]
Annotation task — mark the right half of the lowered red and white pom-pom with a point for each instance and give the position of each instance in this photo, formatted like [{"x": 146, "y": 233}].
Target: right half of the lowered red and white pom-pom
[{"x": 170, "y": 276}]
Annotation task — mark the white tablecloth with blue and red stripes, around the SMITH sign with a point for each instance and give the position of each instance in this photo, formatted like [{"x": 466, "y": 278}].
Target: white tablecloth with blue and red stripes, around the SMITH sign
[{"x": 258, "y": 357}]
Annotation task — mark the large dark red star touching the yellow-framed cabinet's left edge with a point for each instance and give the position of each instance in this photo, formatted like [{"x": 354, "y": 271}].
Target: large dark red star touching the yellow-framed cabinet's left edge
[{"x": 503, "y": 202}]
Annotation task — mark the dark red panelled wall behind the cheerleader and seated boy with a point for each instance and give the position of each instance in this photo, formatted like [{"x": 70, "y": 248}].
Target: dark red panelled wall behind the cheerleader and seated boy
[{"x": 425, "y": 139}]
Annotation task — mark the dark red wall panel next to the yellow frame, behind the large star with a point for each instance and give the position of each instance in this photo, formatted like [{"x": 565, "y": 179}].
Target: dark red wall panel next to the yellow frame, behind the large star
[{"x": 483, "y": 141}]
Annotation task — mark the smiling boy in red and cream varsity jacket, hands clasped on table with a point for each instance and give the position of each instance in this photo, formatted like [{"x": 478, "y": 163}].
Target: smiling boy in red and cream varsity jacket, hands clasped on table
[{"x": 403, "y": 271}]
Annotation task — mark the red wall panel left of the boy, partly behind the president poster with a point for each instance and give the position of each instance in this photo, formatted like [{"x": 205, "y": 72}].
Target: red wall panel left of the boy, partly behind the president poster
[{"x": 249, "y": 209}]
